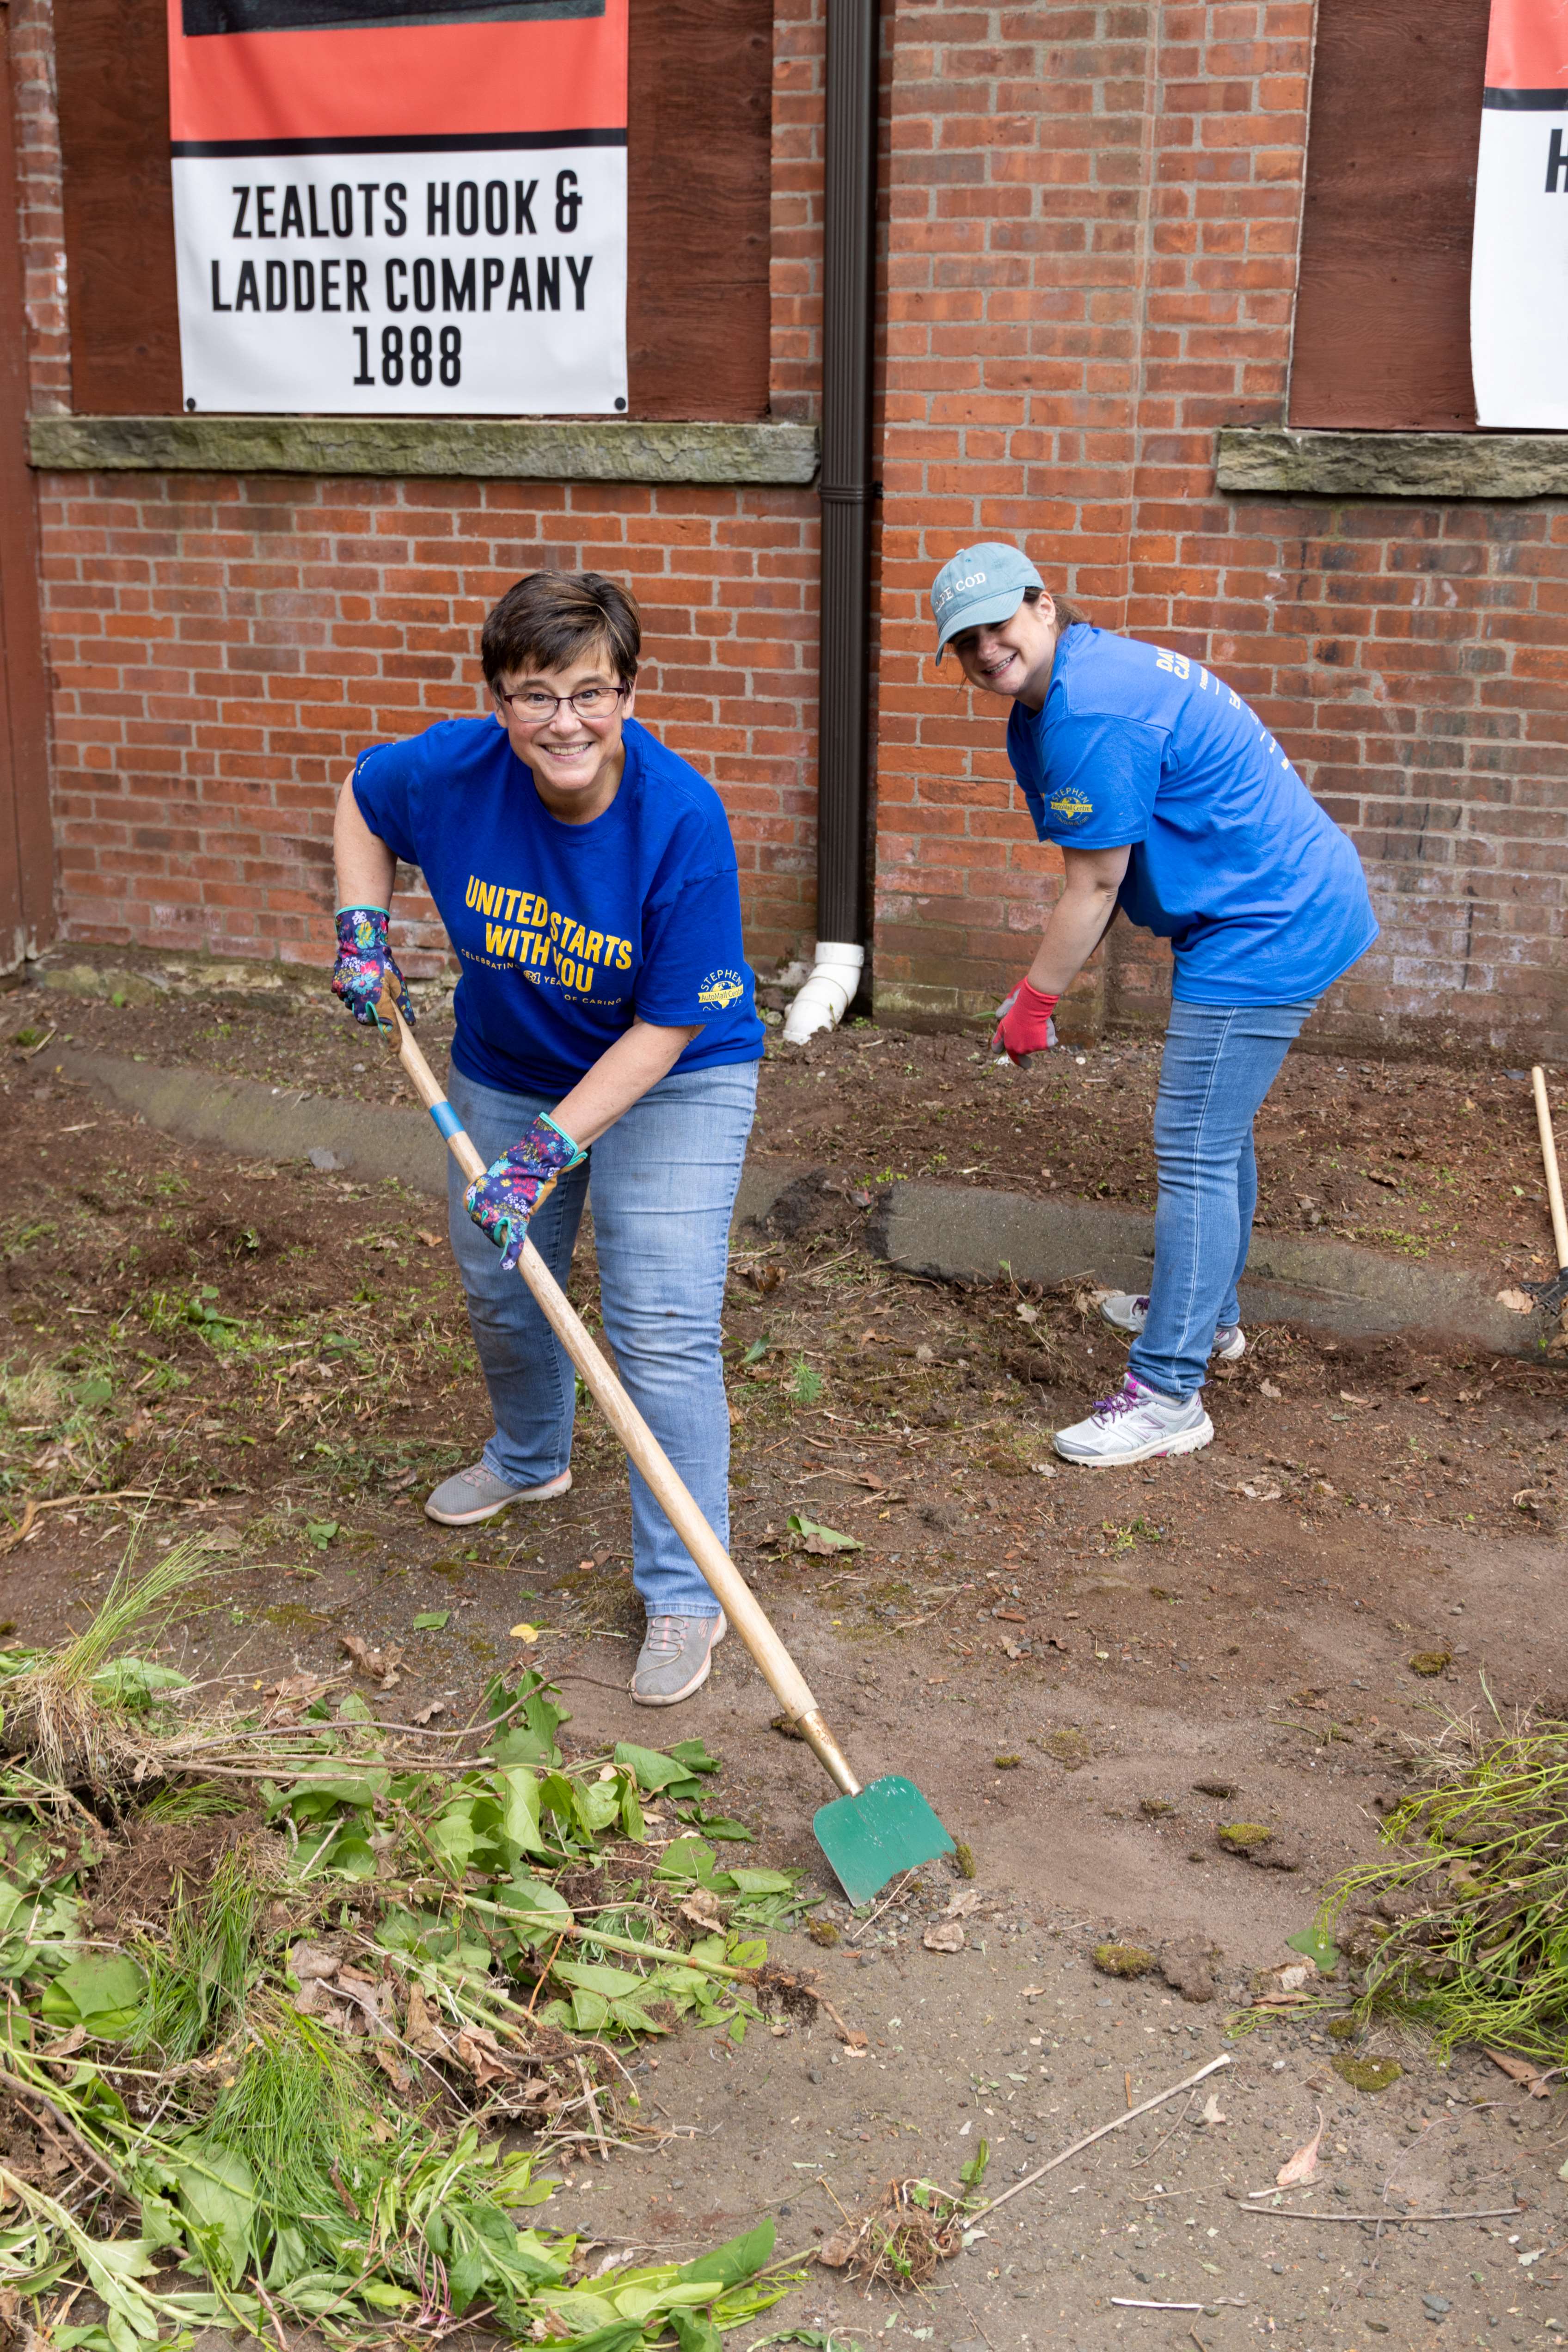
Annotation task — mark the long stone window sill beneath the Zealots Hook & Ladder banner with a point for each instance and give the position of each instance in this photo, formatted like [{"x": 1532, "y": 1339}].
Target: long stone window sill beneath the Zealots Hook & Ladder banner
[{"x": 474, "y": 448}]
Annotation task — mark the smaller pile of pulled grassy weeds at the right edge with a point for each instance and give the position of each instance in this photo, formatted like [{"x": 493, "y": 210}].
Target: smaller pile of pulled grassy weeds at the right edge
[{"x": 1466, "y": 1927}]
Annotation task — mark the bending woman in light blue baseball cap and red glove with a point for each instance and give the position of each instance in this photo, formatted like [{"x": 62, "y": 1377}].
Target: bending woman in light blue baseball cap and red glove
[{"x": 1170, "y": 799}]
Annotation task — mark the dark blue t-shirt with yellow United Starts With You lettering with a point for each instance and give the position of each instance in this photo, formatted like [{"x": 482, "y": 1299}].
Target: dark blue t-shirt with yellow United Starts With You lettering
[{"x": 570, "y": 930}]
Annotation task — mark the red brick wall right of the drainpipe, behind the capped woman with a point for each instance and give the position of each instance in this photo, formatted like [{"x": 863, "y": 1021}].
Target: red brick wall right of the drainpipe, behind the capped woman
[{"x": 1094, "y": 258}]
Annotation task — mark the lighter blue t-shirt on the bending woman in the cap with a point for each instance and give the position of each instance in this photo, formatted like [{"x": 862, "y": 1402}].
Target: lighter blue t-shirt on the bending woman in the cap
[{"x": 1233, "y": 862}]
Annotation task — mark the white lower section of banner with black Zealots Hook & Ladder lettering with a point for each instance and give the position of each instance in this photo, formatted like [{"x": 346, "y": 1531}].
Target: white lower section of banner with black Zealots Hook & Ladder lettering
[{"x": 403, "y": 283}]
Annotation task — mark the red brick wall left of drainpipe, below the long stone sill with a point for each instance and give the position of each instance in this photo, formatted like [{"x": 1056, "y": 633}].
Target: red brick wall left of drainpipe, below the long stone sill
[{"x": 225, "y": 646}]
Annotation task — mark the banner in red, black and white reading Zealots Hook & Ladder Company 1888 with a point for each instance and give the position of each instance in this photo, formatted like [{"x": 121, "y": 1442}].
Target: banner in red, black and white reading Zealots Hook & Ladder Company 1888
[{"x": 401, "y": 208}]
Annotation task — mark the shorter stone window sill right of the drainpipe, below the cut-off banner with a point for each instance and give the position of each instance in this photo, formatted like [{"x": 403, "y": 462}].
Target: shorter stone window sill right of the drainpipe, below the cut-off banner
[{"x": 1393, "y": 465}]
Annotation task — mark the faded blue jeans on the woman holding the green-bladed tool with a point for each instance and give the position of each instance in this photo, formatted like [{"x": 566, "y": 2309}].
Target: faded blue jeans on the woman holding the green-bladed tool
[{"x": 664, "y": 1189}]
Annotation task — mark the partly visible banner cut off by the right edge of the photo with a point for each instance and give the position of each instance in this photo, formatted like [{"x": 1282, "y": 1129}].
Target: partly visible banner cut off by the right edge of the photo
[{"x": 1520, "y": 258}]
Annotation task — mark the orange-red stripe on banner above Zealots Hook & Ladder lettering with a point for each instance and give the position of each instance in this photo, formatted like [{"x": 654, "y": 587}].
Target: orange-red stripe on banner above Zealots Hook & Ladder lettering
[{"x": 401, "y": 81}]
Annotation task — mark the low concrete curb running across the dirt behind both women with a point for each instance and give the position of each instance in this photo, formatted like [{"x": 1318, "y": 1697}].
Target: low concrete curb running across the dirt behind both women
[{"x": 923, "y": 1229}]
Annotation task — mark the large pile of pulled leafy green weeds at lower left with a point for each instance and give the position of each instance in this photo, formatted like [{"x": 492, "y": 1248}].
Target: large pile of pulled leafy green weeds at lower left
[{"x": 281, "y": 2099}]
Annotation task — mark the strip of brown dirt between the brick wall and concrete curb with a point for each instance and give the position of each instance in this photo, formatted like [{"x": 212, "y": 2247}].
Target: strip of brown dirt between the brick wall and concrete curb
[{"x": 1412, "y": 1158}]
